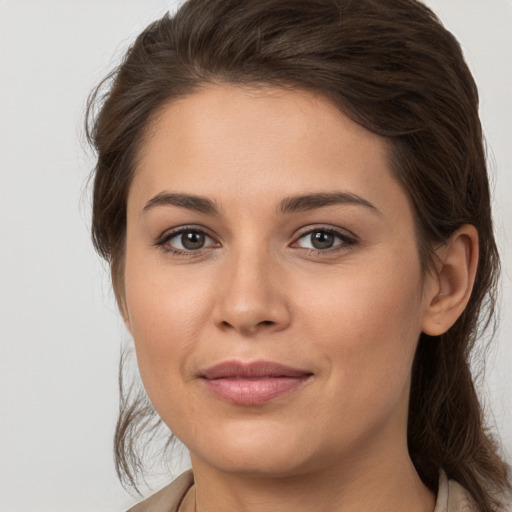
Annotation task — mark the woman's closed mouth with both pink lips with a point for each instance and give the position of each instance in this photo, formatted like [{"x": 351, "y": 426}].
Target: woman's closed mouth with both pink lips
[{"x": 253, "y": 383}]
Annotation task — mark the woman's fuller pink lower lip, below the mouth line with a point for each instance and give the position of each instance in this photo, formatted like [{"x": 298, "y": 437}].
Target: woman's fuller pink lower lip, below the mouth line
[{"x": 253, "y": 391}]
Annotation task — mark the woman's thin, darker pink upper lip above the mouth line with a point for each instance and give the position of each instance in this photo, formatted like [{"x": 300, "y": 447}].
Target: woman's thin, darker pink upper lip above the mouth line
[{"x": 233, "y": 369}]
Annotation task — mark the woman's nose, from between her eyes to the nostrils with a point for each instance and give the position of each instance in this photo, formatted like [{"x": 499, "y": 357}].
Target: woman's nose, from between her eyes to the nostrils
[{"x": 251, "y": 296}]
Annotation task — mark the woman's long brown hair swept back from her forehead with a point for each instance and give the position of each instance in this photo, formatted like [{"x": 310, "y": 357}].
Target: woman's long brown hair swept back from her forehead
[{"x": 393, "y": 68}]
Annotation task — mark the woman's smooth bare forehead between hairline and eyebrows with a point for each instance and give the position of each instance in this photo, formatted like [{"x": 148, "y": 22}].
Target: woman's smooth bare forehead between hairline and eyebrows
[{"x": 235, "y": 142}]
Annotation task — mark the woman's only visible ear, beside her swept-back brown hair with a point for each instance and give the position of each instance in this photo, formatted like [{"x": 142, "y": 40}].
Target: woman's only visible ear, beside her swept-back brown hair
[{"x": 450, "y": 286}]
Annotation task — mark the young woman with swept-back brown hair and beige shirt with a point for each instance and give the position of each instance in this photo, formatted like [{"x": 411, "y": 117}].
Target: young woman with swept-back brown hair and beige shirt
[{"x": 293, "y": 199}]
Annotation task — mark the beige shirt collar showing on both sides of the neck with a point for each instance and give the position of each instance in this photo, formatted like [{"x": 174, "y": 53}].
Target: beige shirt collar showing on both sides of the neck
[{"x": 451, "y": 496}]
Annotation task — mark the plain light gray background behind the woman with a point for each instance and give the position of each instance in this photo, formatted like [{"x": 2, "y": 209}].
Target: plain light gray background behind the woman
[{"x": 59, "y": 329}]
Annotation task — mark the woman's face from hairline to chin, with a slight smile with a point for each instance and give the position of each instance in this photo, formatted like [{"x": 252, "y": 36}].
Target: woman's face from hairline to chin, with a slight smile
[{"x": 272, "y": 282}]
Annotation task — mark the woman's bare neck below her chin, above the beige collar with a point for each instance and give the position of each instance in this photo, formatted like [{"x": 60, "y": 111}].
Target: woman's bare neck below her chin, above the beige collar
[{"x": 390, "y": 485}]
